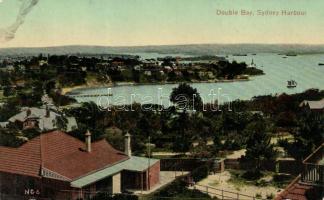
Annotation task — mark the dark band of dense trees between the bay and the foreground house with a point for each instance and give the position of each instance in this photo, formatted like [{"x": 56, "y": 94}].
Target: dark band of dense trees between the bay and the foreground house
[{"x": 241, "y": 124}]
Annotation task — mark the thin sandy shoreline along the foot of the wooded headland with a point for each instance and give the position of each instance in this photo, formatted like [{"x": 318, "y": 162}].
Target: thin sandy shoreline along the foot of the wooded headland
[{"x": 67, "y": 90}]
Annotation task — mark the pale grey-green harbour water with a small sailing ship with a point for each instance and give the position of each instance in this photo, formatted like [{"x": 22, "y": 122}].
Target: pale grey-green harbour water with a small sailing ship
[{"x": 302, "y": 68}]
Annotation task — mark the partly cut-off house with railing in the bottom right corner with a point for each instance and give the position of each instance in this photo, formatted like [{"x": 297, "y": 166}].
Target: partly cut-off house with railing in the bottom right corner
[{"x": 309, "y": 184}]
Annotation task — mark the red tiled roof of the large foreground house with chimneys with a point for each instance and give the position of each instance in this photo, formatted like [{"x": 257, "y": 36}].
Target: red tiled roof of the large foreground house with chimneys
[{"x": 60, "y": 153}]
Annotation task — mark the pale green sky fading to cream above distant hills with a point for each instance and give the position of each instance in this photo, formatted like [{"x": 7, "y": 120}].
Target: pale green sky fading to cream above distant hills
[{"x": 161, "y": 22}]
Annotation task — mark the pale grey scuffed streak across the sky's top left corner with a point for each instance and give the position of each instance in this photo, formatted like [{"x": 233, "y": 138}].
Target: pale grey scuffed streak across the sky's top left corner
[{"x": 7, "y": 34}]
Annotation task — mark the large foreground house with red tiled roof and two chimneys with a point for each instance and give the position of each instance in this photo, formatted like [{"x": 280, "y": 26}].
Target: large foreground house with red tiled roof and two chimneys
[{"x": 58, "y": 166}]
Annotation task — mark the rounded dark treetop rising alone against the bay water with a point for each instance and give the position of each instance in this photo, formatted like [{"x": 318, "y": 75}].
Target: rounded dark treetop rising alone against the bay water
[{"x": 186, "y": 97}]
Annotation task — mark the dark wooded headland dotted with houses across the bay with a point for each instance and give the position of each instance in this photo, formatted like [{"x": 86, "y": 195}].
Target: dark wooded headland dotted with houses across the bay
[{"x": 78, "y": 70}]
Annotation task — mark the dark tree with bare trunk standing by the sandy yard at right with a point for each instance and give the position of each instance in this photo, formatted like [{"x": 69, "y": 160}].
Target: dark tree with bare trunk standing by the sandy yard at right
[{"x": 258, "y": 146}]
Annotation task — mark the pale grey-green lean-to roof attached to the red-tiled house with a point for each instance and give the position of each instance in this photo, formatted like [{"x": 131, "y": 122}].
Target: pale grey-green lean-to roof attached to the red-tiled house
[{"x": 137, "y": 164}]
